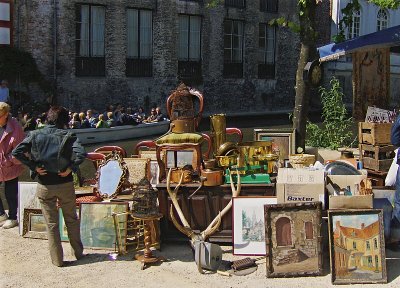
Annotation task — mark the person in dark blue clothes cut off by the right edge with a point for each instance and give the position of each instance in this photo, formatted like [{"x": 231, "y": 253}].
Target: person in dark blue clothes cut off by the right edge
[{"x": 395, "y": 227}]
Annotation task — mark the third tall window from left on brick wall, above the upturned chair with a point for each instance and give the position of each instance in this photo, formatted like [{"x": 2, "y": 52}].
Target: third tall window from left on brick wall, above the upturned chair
[{"x": 189, "y": 49}]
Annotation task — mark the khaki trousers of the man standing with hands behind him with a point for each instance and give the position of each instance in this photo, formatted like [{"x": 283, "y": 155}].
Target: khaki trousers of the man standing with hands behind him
[{"x": 65, "y": 194}]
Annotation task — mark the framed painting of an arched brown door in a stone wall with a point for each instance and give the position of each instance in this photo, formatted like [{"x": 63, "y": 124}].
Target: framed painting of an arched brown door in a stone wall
[{"x": 293, "y": 239}]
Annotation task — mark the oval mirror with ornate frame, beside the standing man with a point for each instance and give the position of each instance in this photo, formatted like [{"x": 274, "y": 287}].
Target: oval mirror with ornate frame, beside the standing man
[{"x": 110, "y": 177}]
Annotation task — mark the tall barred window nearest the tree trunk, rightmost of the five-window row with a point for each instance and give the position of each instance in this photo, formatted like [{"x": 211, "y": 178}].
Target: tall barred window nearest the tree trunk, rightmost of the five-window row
[{"x": 266, "y": 51}]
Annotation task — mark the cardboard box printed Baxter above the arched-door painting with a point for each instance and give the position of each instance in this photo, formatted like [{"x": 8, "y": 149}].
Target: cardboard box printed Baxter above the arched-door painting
[{"x": 300, "y": 185}]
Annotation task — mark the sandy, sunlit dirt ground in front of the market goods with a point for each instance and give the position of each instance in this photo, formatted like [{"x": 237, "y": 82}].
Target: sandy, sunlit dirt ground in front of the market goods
[{"x": 26, "y": 262}]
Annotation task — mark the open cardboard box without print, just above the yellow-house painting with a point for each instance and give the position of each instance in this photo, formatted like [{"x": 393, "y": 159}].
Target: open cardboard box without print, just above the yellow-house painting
[{"x": 351, "y": 182}]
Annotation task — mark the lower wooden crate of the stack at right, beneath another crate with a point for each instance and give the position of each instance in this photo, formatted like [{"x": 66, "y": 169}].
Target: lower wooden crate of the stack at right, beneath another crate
[{"x": 378, "y": 158}]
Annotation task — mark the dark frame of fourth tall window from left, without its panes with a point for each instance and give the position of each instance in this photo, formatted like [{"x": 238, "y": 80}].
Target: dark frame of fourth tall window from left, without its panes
[{"x": 233, "y": 69}]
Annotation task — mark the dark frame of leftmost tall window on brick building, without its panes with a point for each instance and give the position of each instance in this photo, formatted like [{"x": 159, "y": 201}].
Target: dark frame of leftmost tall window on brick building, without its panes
[{"x": 88, "y": 66}]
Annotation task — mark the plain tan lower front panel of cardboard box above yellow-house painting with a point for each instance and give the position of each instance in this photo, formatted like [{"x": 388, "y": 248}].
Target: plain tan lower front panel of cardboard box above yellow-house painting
[{"x": 351, "y": 202}]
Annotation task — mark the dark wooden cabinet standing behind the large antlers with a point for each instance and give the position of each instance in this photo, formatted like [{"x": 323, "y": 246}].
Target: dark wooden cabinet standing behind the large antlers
[{"x": 203, "y": 207}]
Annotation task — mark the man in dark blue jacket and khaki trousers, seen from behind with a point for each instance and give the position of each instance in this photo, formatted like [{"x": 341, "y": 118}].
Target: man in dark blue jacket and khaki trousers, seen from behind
[{"x": 53, "y": 153}]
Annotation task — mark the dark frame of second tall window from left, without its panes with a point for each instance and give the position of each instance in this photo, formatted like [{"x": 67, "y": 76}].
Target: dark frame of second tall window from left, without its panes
[{"x": 139, "y": 66}]
